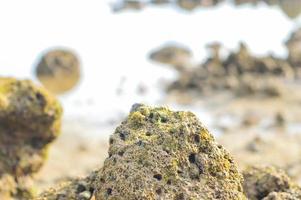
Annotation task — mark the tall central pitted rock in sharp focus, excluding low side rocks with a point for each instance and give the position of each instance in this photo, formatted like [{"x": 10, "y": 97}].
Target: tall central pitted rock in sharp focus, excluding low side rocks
[{"x": 160, "y": 154}]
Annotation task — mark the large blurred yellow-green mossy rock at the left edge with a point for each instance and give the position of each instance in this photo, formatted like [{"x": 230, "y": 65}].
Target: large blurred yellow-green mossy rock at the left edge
[{"x": 30, "y": 120}]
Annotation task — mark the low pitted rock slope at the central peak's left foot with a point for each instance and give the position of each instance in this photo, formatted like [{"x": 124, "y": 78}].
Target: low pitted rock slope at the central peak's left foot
[{"x": 76, "y": 189}]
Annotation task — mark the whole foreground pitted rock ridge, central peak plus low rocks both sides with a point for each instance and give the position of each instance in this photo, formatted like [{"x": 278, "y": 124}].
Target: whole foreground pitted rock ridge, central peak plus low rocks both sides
[{"x": 157, "y": 153}]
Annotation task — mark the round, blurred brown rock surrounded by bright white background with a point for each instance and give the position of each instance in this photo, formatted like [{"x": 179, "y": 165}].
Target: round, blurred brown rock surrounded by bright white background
[{"x": 59, "y": 70}]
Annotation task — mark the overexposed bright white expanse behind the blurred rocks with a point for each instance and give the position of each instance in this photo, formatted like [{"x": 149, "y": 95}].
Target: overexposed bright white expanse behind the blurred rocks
[{"x": 115, "y": 45}]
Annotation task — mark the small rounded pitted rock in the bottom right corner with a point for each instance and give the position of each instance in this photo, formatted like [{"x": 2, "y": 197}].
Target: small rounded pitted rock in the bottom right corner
[{"x": 269, "y": 183}]
